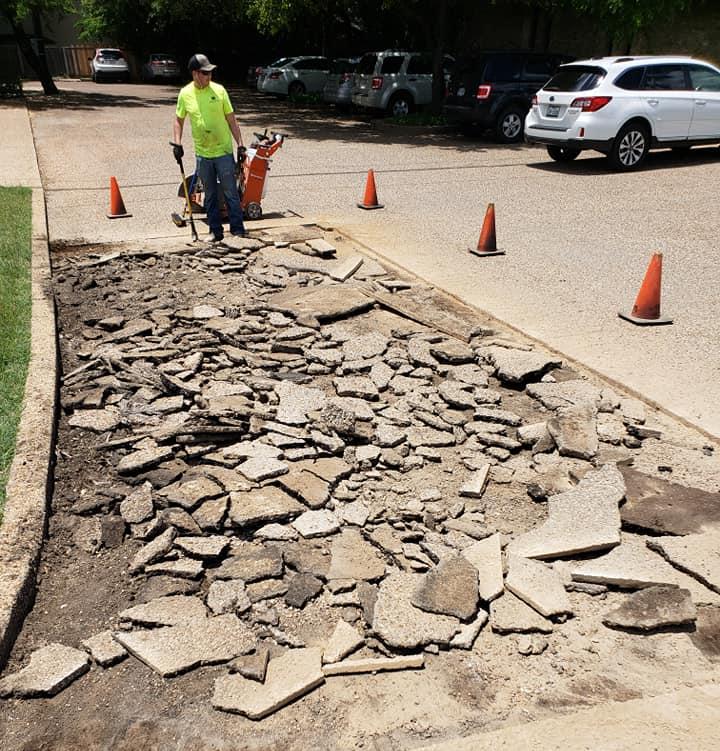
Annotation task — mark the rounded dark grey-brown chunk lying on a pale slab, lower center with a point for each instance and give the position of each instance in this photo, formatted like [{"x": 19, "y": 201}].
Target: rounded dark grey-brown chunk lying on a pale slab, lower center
[{"x": 449, "y": 589}]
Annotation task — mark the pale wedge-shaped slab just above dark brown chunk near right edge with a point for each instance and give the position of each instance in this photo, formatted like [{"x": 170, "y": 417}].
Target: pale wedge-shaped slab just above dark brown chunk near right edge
[{"x": 633, "y": 565}]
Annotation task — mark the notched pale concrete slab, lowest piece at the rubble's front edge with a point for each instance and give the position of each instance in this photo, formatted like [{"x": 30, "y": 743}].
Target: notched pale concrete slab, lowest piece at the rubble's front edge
[{"x": 288, "y": 677}]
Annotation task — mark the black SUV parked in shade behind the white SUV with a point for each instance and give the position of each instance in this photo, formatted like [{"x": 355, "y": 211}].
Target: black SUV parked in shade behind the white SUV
[{"x": 494, "y": 90}]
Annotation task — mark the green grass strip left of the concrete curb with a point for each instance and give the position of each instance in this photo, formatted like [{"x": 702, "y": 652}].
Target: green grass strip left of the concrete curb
[{"x": 15, "y": 305}]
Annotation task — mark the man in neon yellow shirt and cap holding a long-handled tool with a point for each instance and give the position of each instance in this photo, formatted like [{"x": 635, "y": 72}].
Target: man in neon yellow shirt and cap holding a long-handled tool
[{"x": 214, "y": 127}]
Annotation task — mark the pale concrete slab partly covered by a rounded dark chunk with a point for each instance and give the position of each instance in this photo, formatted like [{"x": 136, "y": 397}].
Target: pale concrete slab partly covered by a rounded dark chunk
[{"x": 399, "y": 624}]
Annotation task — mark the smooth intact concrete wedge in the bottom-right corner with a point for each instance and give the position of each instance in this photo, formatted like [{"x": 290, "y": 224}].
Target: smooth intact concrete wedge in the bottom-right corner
[{"x": 685, "y": 719}]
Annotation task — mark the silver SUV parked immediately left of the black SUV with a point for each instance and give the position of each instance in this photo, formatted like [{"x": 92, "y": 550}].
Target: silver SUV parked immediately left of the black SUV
[{"x": 394, "y": 81}]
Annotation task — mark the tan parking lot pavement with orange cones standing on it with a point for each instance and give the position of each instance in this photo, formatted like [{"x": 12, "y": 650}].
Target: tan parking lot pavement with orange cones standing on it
[{"x": 577, "y": 237}]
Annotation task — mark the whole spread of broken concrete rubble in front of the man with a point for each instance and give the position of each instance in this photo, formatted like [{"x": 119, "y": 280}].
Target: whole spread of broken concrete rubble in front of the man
[{"x": 293, "y": 446}]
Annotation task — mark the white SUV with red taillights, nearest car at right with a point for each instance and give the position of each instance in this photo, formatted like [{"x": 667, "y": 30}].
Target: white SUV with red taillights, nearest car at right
[{"x": 624, "y": 106}]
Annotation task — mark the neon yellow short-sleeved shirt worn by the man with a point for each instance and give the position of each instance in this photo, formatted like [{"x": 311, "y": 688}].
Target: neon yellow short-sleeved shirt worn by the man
[{"x": 206, "y": 109}]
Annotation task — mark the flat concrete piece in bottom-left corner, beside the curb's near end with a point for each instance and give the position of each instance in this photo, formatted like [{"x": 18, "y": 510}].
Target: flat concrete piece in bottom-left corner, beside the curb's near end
[{"x": 51, "y": 669}]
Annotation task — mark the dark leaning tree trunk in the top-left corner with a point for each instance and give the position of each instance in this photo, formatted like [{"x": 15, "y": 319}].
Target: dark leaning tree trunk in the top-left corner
[{"x": 16, "y": 12}]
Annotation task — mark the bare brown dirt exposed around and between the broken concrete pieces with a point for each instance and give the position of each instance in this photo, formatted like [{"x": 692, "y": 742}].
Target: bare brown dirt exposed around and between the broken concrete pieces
[{"x": 83, "y": 587}]
